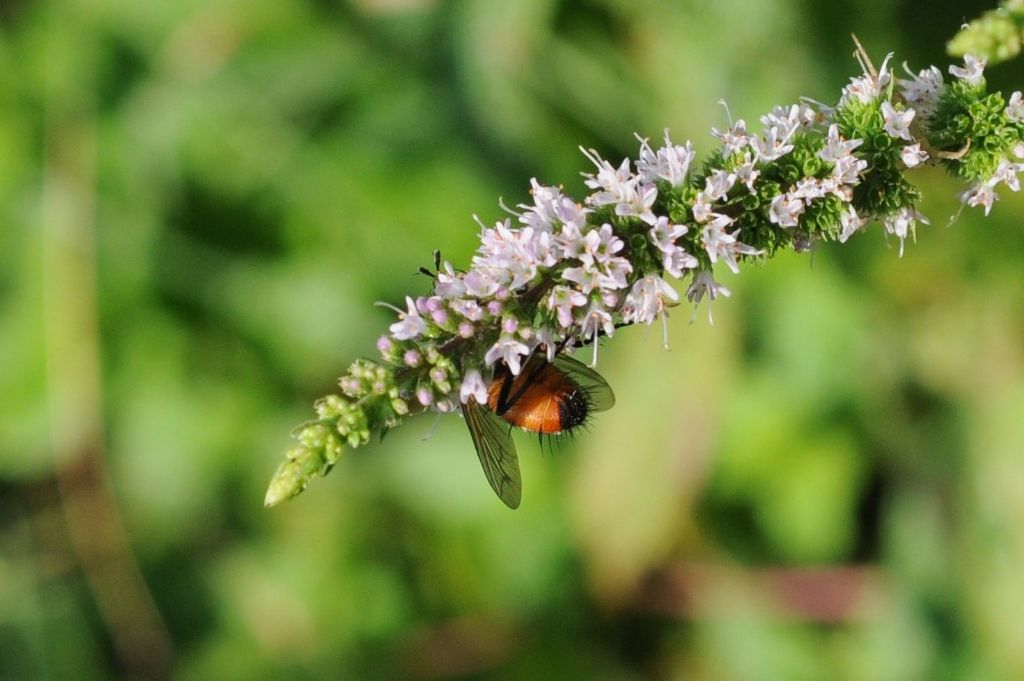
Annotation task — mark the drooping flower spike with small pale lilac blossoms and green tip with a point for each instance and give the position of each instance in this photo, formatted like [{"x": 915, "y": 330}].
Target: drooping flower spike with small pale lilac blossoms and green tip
[{"x": 560, "y": 274}]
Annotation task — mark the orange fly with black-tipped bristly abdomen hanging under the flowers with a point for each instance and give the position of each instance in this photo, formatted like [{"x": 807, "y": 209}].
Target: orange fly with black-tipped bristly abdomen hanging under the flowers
[{"x": 547, "y": 398}]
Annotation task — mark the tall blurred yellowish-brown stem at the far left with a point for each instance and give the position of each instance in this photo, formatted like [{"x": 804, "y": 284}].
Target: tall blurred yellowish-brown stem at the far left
[{"x": 73, "y": 355}]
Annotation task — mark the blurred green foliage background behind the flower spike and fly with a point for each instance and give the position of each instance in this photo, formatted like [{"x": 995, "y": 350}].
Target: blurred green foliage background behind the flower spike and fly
[{"x": 200, "y": 202}]
